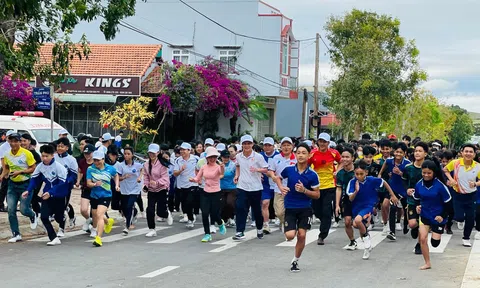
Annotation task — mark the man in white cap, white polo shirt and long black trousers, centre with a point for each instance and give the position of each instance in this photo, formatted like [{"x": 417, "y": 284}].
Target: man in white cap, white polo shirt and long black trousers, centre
[{"x": 248, "y": 177}]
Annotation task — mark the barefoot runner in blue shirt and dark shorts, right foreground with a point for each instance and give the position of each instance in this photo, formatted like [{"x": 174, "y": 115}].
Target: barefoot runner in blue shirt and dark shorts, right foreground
[{"x": 435, "y": 204}]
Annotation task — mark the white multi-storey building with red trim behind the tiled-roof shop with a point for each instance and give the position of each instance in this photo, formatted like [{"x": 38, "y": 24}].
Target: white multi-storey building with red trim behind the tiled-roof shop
[{"x": 269, "y": 64}]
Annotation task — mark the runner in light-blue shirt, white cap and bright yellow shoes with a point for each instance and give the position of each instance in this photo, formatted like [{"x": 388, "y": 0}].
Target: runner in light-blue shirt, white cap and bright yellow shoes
[{"x": 99, "y": 178}]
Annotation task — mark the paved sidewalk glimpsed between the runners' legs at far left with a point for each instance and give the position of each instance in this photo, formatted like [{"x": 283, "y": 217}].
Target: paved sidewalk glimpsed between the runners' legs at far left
[{"x": 28, "y": 233}]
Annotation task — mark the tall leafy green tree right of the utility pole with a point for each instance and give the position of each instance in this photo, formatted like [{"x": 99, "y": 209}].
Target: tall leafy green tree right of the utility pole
[{"x": 377, "y": 69}]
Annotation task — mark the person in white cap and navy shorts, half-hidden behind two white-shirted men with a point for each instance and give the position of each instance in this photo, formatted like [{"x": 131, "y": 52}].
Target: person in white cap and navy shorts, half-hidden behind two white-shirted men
[{"x": 267, "y": 194}]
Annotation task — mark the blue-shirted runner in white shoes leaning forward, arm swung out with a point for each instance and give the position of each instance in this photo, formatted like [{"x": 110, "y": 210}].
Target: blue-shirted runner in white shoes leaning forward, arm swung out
[{"x": 362, "y": 191}]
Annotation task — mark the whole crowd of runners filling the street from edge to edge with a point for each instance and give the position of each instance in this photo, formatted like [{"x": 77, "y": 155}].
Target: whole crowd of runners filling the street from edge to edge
[{"x": 405, "y": 185}]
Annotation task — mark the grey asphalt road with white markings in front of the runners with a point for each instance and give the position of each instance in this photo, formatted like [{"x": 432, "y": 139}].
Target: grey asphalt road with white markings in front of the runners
[{"x": 178, "y": 259}]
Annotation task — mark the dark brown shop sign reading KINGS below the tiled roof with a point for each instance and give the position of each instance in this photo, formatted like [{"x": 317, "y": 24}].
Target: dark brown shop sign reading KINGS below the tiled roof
[{"x": 92, "y": 84}]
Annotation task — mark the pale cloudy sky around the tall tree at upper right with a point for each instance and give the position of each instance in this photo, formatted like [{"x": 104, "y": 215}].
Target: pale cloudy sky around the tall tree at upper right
[{"x": 445, "y": 32}]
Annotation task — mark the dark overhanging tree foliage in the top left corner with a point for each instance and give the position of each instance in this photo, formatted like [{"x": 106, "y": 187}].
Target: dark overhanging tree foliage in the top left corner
[{"x": 26, "y": 24}]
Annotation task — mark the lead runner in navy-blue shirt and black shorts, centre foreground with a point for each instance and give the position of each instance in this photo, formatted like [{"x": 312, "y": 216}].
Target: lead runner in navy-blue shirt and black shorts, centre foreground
[{"x": 302, "y": 186}]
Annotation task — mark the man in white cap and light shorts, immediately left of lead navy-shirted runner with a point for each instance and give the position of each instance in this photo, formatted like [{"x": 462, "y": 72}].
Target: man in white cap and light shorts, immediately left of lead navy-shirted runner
[{"x": 279, "y": 163}]
